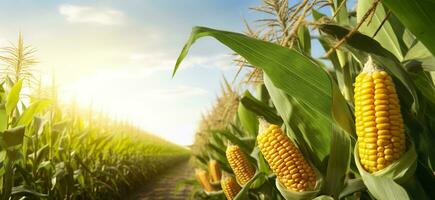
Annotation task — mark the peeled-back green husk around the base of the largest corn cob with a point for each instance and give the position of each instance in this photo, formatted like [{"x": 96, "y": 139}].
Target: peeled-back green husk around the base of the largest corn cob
[{"x": 385, "y": 184}]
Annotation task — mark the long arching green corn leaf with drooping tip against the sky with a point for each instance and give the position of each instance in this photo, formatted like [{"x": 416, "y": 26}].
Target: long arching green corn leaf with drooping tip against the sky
[{"x": 284, "y": 66}]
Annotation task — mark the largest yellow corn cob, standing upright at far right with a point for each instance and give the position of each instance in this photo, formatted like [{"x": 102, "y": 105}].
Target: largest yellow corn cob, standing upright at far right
[{"x": 378, "y": 121}]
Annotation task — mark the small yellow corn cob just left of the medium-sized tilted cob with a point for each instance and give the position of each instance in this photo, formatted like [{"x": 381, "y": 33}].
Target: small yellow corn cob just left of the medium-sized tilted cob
[{"x": 240, "y": 164}]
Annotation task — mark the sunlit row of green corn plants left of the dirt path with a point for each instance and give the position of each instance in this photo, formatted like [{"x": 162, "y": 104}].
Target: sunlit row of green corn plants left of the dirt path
[{"x": 54, "y": 151}]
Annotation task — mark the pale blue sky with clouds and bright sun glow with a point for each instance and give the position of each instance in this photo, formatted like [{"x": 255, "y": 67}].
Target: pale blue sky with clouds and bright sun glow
[{"x": 119, "y": 55}]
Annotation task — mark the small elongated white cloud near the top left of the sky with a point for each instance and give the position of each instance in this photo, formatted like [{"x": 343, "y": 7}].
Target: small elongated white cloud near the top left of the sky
[{"x": 88, "y": 14}]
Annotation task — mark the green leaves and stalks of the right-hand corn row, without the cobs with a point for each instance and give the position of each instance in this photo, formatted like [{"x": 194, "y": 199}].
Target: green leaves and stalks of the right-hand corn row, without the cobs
[{"x": 313, "y": 99}]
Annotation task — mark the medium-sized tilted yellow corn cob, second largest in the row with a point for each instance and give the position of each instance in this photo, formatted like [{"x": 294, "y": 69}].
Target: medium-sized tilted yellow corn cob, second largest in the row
[{"x": 285, "y": 160}]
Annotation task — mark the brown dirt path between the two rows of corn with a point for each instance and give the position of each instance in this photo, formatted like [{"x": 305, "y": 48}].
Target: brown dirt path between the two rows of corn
[{"x": 163, "y": 187}]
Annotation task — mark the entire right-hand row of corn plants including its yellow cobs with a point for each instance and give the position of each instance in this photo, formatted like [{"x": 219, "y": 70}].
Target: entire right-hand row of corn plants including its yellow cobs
[{"x": 356, "y": 123}]
